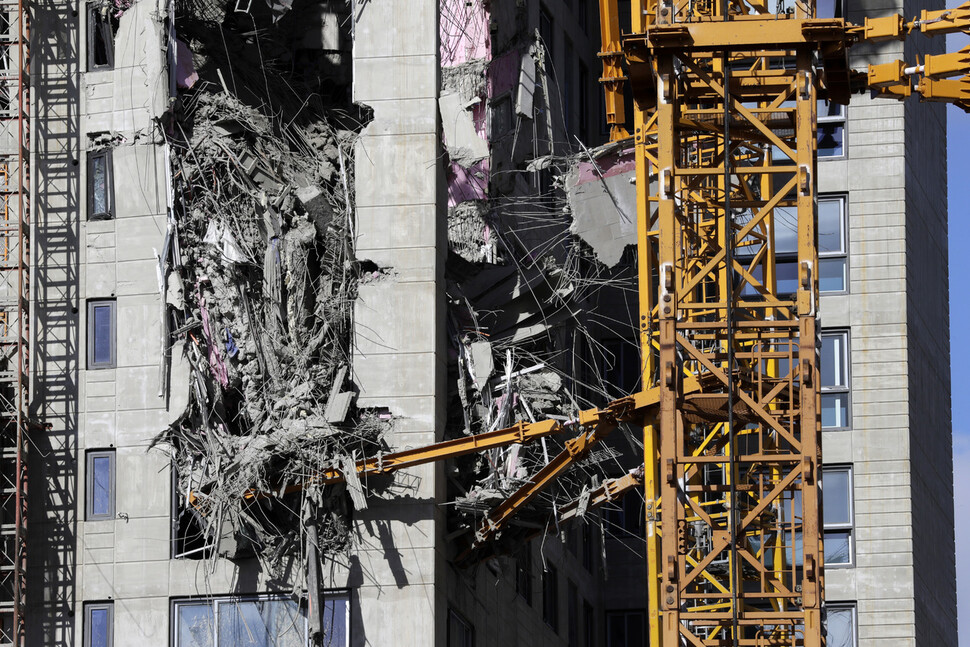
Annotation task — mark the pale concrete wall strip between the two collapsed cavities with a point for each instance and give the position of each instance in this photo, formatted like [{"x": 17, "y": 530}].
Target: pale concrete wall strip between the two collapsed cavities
[{"x": 398, "y": 360}]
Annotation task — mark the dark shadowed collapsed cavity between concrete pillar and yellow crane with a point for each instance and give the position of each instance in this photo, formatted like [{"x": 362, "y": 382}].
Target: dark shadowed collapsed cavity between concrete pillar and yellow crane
[{"x": 522, "y": 287}]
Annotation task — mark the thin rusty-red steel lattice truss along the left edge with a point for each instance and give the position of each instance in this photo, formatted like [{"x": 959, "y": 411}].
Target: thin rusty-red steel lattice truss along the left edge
[{"x": 14, "y": 304}]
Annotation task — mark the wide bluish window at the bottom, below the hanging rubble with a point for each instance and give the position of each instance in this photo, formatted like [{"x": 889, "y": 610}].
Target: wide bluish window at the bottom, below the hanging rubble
[{"x": 267, "y": 621}]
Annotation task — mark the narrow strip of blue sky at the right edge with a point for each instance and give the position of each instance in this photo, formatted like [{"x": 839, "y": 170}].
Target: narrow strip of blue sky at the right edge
[{"x": 958, "y": 159}]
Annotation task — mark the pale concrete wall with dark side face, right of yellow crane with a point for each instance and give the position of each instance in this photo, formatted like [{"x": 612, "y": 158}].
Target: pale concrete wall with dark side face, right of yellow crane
[{"x": 898, "y": 446}]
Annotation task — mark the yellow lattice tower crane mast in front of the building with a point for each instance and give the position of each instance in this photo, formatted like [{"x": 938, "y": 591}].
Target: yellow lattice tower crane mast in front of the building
[{"x": 724, "y": 112}]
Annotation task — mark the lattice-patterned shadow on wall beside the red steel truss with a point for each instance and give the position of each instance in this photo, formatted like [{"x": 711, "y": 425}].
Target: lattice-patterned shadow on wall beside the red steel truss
[{"x": 52, "y": 560}]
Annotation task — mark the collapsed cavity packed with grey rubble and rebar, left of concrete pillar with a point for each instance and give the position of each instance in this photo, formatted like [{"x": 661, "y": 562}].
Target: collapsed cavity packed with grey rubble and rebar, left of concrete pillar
[{"x": 262, "y": 277}]
